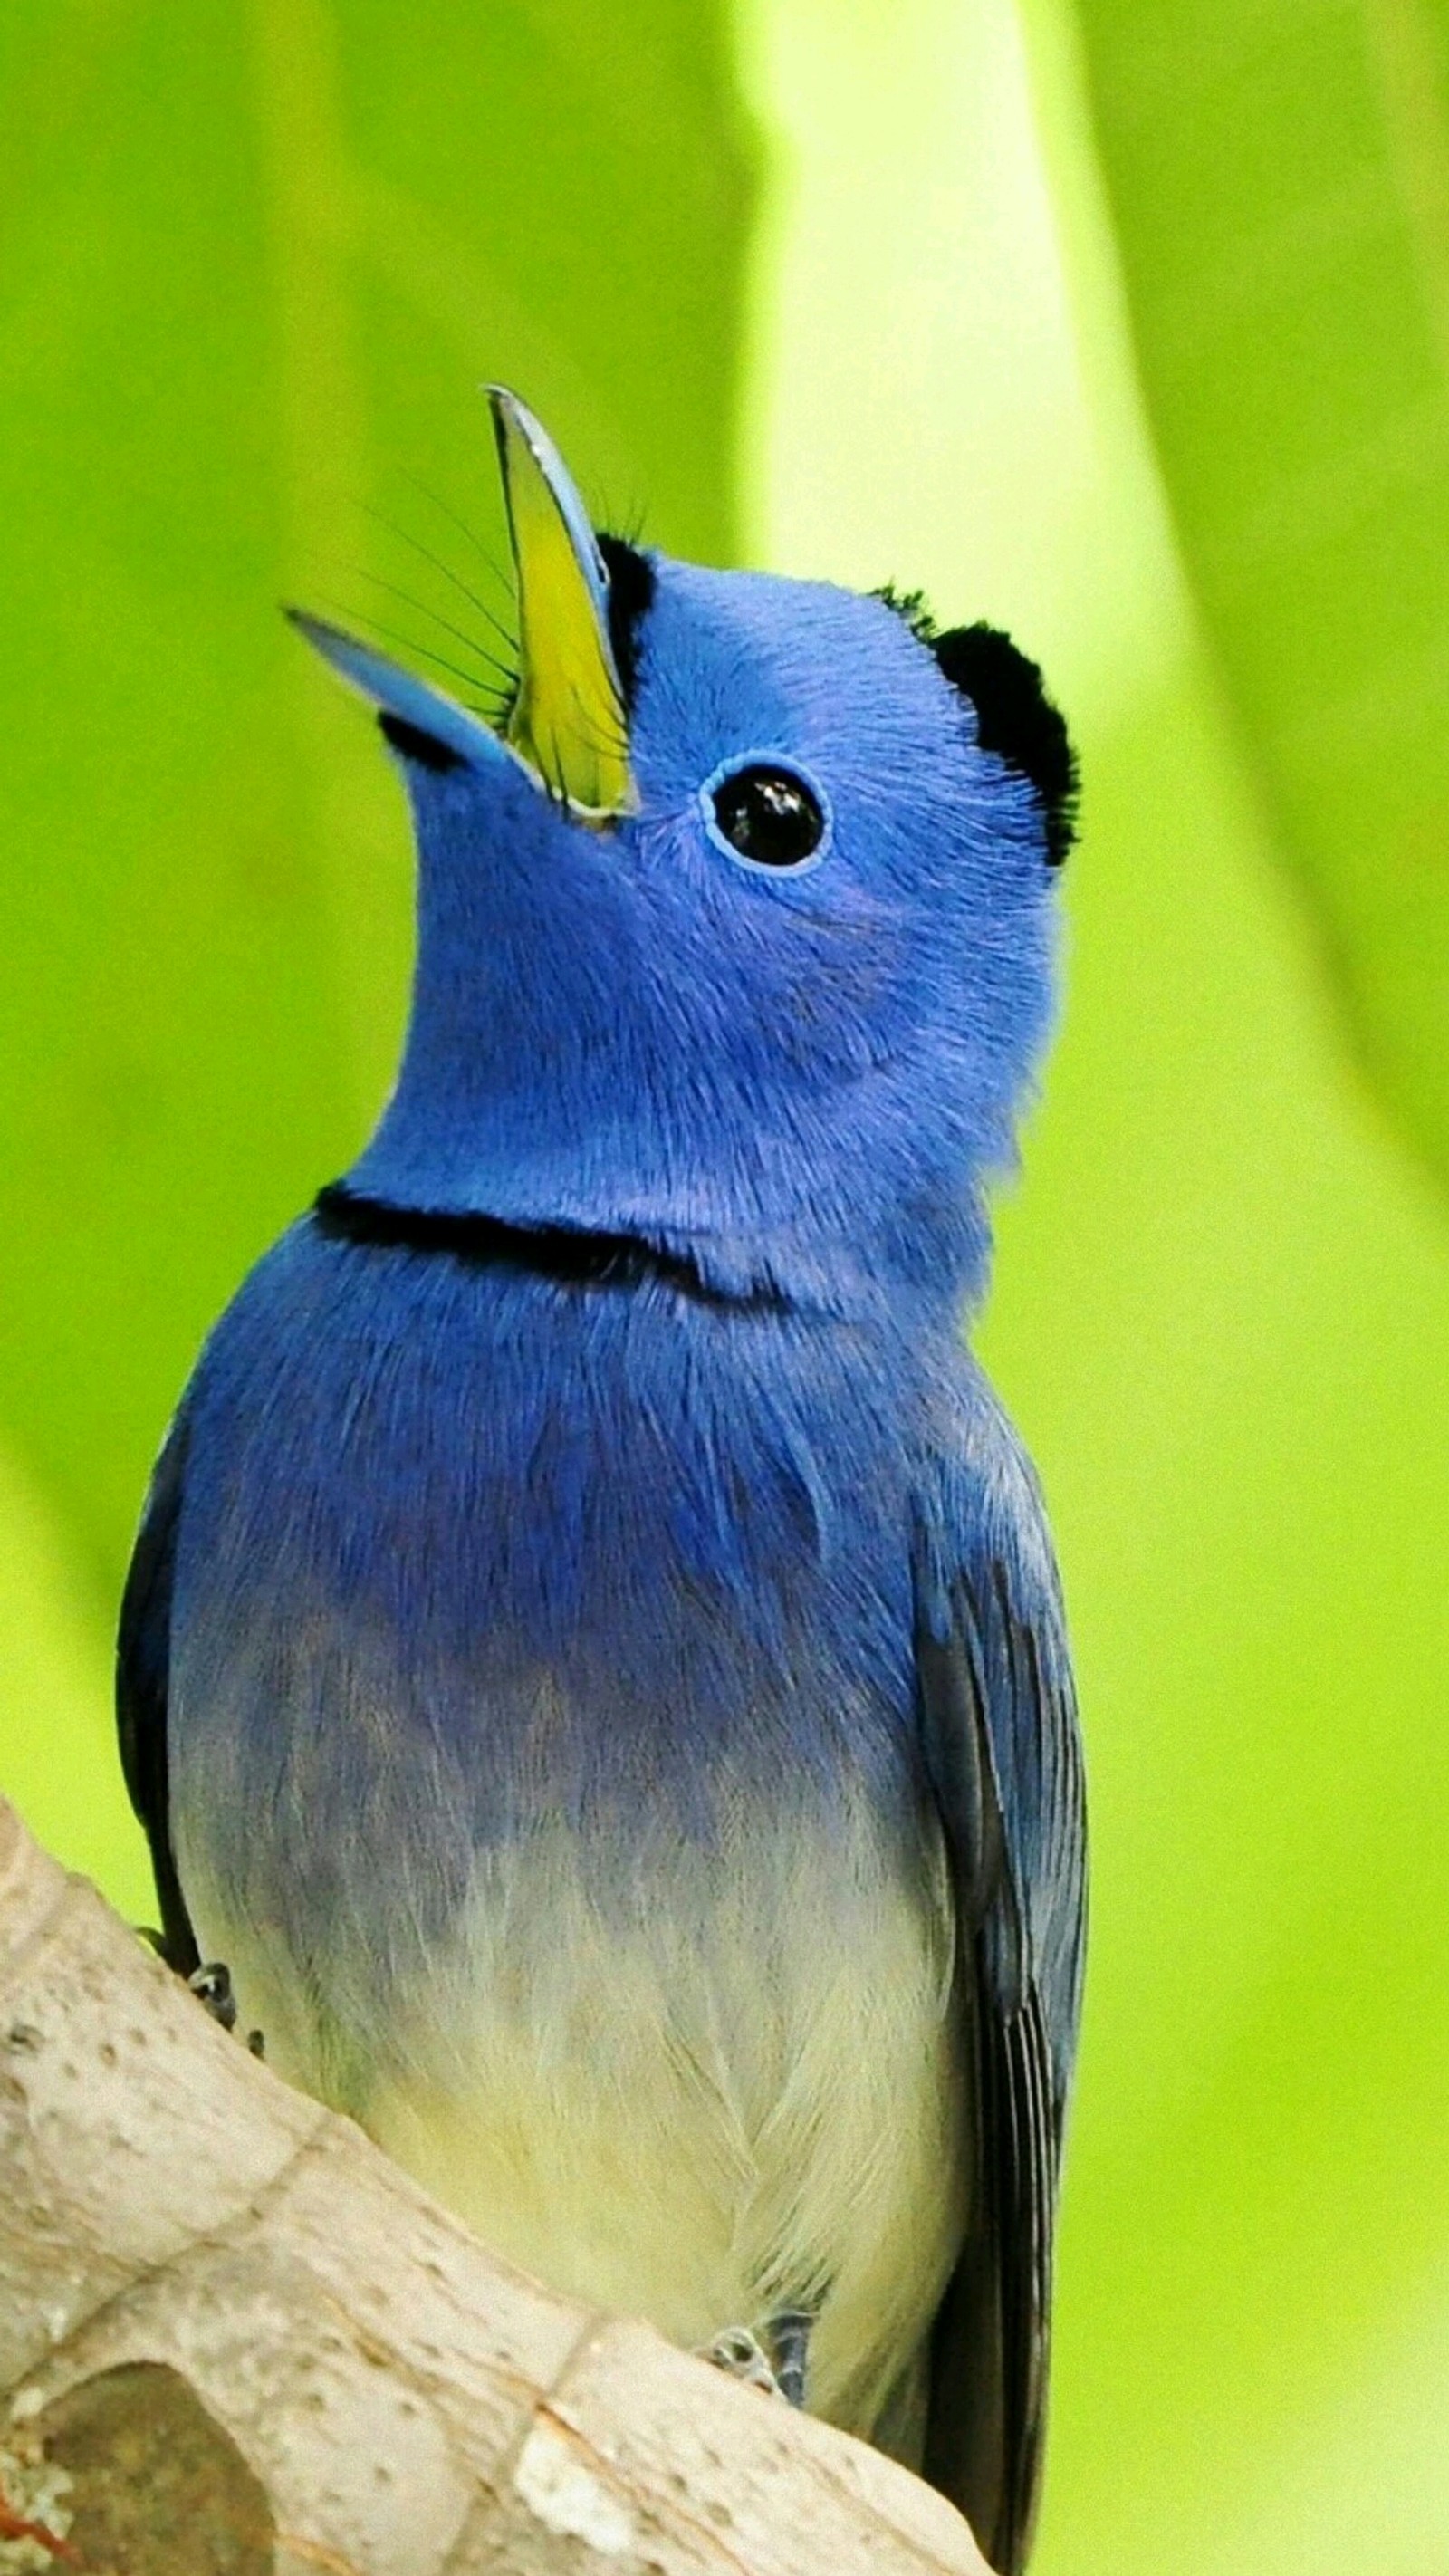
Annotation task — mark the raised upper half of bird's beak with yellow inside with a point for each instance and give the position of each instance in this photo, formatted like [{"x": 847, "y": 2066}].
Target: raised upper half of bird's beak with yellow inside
[{"x": 568, "y": 723}]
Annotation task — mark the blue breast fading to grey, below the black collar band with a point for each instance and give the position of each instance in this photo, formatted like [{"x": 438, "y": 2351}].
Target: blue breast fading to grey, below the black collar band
[{"x": 465, "y": 1552}]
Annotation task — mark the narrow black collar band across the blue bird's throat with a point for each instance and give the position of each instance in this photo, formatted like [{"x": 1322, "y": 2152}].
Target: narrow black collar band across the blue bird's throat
[{"x": 573, "y": 1256}]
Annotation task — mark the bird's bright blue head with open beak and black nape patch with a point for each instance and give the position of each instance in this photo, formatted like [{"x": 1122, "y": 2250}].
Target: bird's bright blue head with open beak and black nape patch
[{"x": 737, "y": 929}]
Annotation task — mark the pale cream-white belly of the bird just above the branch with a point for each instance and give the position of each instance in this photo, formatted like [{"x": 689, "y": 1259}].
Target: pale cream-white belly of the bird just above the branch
[{"x": 737, "y": 2093}]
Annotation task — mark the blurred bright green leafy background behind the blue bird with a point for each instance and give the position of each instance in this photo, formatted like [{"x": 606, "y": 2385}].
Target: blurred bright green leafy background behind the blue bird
[{"x": 1131, "y": 331}]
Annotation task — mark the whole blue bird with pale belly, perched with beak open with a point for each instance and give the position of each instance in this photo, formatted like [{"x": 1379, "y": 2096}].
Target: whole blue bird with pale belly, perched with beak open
[{"x": 593, "y": 1663}]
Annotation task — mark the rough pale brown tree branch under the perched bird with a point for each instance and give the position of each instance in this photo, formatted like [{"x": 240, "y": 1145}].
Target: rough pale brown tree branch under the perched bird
[{"x": 238, "y": 2343}]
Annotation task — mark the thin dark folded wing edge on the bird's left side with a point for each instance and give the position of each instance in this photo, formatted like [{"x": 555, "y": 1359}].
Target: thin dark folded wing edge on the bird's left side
[{"x": 143, "y": 1681}]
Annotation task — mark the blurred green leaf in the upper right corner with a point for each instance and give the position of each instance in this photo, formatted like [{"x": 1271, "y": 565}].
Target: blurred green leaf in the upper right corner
[{"x": 1280, "y": 184}]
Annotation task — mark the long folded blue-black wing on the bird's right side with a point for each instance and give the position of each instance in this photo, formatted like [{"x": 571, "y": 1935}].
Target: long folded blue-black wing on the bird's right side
[{"x": 1005, "y": 1761}]
